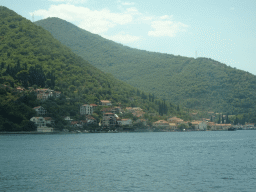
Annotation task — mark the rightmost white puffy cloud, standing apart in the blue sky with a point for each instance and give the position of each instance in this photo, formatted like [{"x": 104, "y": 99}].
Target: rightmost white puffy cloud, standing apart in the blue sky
[{"x": 167, "y": 28}]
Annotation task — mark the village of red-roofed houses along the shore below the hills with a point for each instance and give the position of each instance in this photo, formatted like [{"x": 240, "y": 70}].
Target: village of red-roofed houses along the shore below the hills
[{"x": 112, "y": 120}]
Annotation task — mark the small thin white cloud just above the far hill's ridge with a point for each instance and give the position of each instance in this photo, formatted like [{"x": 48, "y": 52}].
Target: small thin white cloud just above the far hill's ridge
[{"x": 123, "y": 38}]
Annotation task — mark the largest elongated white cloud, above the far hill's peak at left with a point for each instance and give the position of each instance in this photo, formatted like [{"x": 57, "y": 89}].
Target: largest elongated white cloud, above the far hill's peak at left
[{"x": 91, "y": 20}]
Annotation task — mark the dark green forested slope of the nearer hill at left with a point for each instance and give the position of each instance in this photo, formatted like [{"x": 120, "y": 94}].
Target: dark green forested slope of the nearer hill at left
[{"x": 30, "y": 57}]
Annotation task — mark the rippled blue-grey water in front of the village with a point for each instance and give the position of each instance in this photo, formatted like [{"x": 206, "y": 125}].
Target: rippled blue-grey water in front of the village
[{"x": 175, "y": 161}]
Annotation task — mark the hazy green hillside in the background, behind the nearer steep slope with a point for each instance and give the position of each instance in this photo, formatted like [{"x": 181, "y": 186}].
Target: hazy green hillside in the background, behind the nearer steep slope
[{"x": 195, "y": 83}]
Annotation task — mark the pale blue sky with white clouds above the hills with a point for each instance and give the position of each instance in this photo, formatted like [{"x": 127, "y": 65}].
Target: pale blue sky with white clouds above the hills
[{"x": 223, "y": 30}]
